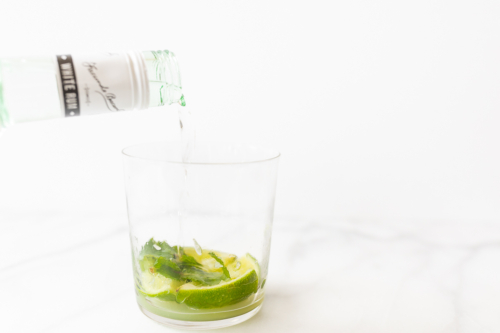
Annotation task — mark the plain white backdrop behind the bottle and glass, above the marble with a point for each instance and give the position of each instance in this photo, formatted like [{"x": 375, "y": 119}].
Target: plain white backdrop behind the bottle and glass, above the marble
[{"x": 381, "y": 109}]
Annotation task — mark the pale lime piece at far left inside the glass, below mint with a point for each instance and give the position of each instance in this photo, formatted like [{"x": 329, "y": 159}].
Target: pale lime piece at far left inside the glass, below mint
[{"x": 156, "y": 285}]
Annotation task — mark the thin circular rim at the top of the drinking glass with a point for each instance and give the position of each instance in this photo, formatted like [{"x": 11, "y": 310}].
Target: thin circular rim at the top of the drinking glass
[{"x": 275, "y": 155}]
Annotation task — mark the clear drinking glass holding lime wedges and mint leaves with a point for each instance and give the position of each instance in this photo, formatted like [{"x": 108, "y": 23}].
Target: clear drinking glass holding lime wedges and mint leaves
[{"x": 200, "y": 231}]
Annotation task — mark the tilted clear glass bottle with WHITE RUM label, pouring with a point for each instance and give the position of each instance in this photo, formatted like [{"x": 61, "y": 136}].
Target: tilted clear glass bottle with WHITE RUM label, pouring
[{"x": 37, "y": 88}]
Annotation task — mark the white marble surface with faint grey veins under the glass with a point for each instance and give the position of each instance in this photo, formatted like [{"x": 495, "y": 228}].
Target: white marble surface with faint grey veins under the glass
[{"x": 72, "y": 273}]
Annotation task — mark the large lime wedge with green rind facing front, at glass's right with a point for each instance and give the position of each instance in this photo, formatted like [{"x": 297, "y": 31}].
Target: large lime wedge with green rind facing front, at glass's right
[{"x": 225, "y": 293}]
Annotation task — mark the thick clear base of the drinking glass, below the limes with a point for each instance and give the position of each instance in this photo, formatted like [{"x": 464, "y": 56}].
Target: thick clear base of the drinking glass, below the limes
[{"x": 200, "y": 325}]
